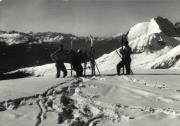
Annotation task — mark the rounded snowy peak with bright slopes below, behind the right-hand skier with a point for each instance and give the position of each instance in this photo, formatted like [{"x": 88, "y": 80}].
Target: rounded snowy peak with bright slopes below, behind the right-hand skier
[{"x": 155, "y": 44}]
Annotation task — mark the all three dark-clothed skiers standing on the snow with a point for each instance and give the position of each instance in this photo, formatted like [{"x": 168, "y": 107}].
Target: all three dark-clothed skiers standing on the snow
[{"x": 76, "y": 60}]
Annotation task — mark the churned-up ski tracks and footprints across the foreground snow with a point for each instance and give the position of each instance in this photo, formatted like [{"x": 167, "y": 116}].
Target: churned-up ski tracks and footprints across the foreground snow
[{"x": 77, "y": 109}]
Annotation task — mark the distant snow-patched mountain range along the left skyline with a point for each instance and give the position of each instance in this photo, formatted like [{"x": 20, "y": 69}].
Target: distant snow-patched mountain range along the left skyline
[{"x": 15, "y": 37}]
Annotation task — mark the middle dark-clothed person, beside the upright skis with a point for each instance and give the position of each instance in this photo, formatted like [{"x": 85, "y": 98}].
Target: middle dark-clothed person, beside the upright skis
[{"x": 77, "y": 59}]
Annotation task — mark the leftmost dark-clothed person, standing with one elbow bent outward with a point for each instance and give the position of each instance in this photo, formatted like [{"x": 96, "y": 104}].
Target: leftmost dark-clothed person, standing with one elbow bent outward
[{"x": 59, "y": 63}]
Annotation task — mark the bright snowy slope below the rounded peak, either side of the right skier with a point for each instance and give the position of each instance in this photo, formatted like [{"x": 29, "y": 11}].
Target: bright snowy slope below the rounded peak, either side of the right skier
[{"x": 162, "y": 59}]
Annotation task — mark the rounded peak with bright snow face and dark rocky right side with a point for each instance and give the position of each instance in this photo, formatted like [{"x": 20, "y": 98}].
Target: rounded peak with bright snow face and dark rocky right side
[{"x": 153, "y": 35}]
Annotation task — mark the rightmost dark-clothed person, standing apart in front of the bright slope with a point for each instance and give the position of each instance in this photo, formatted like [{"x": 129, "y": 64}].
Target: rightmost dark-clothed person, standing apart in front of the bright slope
[{"x": 125, "y": 52}]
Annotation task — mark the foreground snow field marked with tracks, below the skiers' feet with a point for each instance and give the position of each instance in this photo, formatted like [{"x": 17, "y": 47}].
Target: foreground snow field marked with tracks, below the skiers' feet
[{"x": 110, "y": 100}]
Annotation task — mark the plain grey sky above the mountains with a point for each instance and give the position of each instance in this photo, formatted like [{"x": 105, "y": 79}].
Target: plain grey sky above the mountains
[{"x": 83, "y": 17}]
